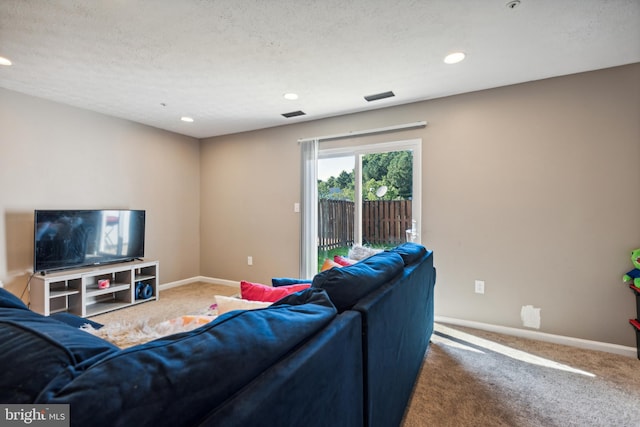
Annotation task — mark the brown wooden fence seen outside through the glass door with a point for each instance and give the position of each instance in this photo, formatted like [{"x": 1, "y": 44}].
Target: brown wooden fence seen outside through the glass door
[{"x": 384, "y": 222}]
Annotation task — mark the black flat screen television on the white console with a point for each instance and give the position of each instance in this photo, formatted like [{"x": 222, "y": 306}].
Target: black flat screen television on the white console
[{"x": 66, "y": 239}]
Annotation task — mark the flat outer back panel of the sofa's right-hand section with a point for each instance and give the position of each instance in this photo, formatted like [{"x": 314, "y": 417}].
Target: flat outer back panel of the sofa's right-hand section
[{"x": 397, "y": 325}]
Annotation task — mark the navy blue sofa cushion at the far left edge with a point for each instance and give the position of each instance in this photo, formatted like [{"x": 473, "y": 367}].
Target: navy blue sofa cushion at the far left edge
[{"x": 37, "y": 349}]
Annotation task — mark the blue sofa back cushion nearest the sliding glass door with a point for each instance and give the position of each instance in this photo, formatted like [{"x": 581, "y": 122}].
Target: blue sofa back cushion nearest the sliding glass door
[{"x": 347, "y": 285}]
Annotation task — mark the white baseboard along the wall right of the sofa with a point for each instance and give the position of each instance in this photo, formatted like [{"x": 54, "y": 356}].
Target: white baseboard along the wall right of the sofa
[{"x": 542, "y": 336}]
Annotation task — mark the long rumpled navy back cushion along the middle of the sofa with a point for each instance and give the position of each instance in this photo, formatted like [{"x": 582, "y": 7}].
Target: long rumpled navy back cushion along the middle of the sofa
[{"x": 177, "y": 380}]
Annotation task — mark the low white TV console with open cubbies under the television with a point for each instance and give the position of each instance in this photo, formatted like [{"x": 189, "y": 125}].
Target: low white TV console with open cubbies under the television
[{"x": 77, "y": 291}]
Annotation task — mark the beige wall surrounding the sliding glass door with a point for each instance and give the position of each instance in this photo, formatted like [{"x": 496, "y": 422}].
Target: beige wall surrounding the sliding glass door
[{"x": 532, "y": 188}]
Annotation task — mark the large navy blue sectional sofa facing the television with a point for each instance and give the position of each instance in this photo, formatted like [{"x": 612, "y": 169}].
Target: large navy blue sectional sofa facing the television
[{"x": 345, "y": 352}]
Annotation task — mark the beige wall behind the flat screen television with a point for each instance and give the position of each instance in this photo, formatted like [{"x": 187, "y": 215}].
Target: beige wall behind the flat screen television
[{"x": 58, "y": 157}]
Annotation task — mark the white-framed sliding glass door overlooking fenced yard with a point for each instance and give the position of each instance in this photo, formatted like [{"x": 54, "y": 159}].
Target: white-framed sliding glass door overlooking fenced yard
[{"x": 367, "y": 195}]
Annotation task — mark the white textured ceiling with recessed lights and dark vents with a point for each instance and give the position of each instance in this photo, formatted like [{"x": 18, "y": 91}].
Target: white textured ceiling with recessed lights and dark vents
[{"x": 227, "y": 63}]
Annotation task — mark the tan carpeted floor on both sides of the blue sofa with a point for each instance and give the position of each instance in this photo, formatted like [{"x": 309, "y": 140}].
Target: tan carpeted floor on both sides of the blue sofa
[{"x": 477, "y": 378}]
